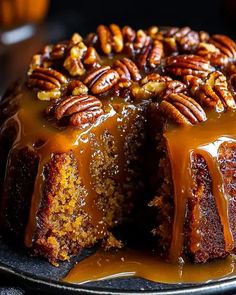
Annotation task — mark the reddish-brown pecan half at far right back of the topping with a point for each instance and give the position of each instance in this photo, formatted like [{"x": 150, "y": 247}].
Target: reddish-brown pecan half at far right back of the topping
[{"x": 226, "y": 45}]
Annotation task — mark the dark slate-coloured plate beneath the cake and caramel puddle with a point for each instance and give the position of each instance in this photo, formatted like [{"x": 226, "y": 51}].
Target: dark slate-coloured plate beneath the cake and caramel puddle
[{"x": 31, "y": 273}]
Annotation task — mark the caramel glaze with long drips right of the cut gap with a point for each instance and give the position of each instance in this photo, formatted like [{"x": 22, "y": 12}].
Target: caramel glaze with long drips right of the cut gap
[{"x": 203, "y": 139}]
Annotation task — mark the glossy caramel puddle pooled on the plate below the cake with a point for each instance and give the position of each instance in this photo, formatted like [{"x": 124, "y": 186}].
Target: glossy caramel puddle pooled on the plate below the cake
[{"x": 147, "y": 265}]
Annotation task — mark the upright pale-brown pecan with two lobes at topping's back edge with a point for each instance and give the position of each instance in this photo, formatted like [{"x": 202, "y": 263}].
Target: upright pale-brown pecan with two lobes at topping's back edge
[{"x": 110, "y": 38}]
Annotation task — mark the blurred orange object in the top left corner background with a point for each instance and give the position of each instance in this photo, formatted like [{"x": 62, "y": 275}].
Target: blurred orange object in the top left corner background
[{"x": 19, "y": 12}]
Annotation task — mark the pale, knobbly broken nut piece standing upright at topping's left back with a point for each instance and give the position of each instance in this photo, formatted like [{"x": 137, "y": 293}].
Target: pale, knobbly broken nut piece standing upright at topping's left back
[{"x": 73, "y": 62}]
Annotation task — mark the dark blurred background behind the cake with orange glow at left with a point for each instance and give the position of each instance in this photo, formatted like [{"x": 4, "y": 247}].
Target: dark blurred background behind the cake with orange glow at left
[{"x": 26, "y": 25}]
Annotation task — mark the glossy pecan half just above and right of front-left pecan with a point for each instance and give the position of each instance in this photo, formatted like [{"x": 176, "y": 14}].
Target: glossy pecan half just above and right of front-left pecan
[{"x": 101, "y": 79}]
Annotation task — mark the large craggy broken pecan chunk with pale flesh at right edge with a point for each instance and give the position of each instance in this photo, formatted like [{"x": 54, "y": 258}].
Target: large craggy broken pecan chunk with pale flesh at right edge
[{"x": 214, "y": 92}]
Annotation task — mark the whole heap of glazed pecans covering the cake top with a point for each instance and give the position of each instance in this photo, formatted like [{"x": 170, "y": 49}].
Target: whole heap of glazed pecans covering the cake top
[{"x": 136, "y": 65}]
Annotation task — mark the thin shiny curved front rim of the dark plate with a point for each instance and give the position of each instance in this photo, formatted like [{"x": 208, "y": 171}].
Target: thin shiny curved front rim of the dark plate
[{"x": 23, "y": 278}]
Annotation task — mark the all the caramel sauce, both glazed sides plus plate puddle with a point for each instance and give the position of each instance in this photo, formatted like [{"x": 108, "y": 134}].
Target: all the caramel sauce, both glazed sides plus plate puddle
[{"x": 203, "y": 139}]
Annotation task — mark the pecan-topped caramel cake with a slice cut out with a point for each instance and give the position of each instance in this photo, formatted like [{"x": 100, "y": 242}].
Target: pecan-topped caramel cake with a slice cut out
[{"x": 119, "y": 122}]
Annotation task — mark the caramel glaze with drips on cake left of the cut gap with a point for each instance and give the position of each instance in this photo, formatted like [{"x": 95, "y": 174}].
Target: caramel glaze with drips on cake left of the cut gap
[{"x": 32, "y": 126}]
